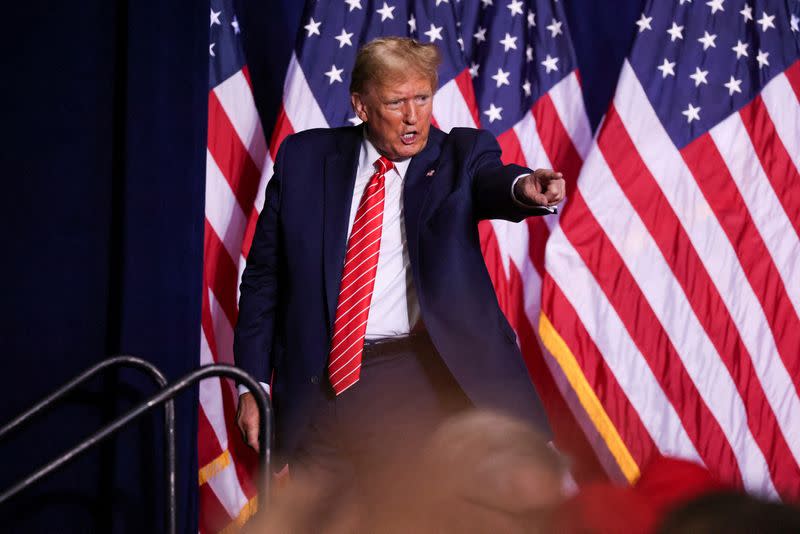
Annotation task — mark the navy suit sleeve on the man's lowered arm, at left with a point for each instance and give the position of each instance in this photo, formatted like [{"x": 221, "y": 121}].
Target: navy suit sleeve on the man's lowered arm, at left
[{"x": 255, "y": 328}]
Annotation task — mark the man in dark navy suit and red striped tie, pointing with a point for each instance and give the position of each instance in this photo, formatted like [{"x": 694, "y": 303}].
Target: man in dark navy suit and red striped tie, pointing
[{"x": 366, "y": 302}]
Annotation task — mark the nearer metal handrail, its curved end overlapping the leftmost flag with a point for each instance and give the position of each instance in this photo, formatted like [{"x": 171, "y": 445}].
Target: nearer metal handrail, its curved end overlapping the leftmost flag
[{"x": 165, "y": 395}]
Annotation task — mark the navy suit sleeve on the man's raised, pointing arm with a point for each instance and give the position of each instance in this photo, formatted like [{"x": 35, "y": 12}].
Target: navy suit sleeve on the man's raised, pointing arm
[{"x": 492, "y": 183}]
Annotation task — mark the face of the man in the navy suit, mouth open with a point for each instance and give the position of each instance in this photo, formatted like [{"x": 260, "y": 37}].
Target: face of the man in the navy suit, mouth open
[{"x": 398, "y": 115}]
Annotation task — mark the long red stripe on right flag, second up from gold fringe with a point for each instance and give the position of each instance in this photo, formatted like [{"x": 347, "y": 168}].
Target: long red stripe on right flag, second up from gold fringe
[{"x": 641, "y": 322}]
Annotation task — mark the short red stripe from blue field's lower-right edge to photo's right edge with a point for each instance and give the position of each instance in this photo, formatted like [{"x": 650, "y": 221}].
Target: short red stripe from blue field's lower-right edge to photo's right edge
[{"x": 774, "y": 158}]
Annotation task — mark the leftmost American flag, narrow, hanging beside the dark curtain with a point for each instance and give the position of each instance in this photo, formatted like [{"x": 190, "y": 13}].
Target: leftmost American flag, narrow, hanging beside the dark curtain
[{"x": 237, "y": 166}]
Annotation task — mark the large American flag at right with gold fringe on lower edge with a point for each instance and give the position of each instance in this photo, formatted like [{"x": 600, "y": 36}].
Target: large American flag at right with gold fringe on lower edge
[{"x": 672, "y": 285}]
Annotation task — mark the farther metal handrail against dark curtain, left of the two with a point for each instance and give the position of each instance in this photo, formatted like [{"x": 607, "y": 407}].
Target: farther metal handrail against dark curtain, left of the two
[{"x": 169, "y": 418}]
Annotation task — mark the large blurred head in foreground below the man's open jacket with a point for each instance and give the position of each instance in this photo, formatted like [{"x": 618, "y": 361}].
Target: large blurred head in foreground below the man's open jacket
[{"x": 487, "y": 472}]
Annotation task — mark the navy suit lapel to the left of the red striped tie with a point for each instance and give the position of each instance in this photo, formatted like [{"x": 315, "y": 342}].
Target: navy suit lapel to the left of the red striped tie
[{"x": 340, "y": 177}]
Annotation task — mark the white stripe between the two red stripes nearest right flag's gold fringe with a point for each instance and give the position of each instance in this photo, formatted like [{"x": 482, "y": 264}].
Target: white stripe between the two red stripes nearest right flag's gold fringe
[{"x": 620, "y": 353}]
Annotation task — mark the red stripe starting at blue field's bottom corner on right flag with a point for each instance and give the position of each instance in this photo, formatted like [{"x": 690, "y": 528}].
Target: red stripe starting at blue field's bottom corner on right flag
[{"x": 712, "y": 176}]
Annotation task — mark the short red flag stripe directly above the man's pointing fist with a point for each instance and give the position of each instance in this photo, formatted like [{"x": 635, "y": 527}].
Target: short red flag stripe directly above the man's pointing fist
[{"x": 556, "y": 142}]
